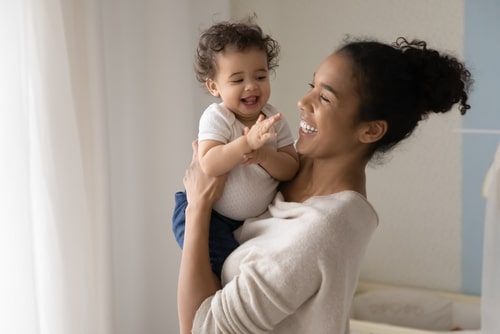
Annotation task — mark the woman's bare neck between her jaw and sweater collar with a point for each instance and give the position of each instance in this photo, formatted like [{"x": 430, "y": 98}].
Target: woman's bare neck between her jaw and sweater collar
[{"x": 321, "y": 177}]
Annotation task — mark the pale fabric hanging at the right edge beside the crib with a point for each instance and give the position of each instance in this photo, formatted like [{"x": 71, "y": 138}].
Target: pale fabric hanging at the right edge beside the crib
[{"x": 490, "y": 295}]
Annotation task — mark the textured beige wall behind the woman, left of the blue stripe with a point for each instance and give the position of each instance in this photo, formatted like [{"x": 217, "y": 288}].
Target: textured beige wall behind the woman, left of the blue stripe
[{"x": 417, "y": 192}]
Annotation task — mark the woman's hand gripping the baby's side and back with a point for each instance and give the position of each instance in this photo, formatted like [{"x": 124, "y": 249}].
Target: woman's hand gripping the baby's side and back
[{"x": 202, "y": 189}]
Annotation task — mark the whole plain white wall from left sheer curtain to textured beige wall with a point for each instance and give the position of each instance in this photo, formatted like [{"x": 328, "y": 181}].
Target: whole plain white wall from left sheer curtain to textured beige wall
[{"x": 153, "y": 104}]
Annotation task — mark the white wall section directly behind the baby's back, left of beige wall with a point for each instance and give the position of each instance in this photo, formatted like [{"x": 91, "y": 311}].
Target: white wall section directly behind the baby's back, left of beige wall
[{"x": 175, "y": 102}]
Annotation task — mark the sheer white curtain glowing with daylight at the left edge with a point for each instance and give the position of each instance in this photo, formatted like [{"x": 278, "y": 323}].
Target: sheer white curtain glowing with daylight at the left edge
[{"x": 54, "y": 219}]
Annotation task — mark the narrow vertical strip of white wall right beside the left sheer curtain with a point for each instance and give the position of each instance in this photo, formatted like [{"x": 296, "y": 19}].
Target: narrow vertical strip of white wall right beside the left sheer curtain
[{"x": 122, "y": 37}]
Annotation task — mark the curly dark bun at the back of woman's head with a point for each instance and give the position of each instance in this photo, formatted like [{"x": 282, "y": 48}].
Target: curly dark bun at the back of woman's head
[{"x": 442, "y": 80}]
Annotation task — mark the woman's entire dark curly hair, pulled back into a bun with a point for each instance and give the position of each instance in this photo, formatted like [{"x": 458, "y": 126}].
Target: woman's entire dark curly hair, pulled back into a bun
[{"x": 402, "y": 83}]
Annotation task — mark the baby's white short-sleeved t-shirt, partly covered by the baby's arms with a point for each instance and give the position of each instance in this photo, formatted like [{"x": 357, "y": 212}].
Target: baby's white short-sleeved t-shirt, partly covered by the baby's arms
[{"x": 250, "y": 189}]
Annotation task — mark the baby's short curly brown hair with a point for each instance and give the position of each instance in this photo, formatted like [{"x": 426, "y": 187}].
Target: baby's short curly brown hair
[{"x": 240, "y": 35}]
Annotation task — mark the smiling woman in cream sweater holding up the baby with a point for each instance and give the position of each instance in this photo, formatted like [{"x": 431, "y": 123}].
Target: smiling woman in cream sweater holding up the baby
[{"x": 297, "y": 265}]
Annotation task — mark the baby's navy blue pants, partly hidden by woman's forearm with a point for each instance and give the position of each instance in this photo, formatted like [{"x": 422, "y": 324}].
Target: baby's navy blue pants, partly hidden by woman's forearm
[{"x": 221, "y": 239}]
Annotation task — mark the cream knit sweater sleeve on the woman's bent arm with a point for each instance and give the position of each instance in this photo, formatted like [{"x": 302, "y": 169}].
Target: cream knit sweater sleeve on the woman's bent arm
[{"x": 257, "y": 299}]
